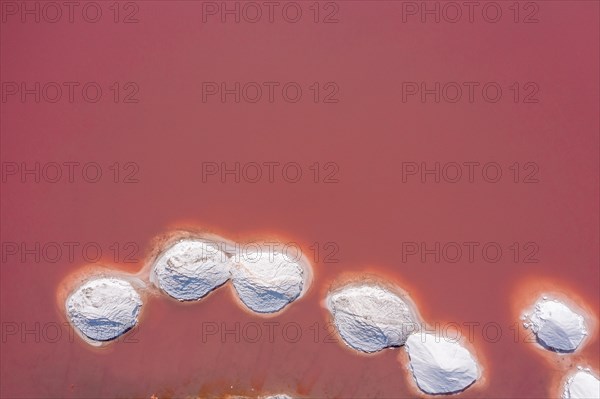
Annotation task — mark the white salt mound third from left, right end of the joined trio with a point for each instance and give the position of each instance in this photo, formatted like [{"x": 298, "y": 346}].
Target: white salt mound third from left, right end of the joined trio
[{"x": 267, "y": 281}]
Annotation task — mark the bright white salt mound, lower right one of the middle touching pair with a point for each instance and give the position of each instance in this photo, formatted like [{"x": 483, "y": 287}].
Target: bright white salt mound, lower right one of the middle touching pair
[{"x": 440, "y": 366}]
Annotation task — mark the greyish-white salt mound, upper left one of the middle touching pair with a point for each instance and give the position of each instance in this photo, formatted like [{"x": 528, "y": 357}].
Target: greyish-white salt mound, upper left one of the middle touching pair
[{"x": 370, "y": 318}]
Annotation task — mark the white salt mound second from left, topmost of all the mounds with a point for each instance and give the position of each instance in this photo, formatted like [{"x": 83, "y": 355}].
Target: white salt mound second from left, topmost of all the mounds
[{"x": 190, "y": 269}]
